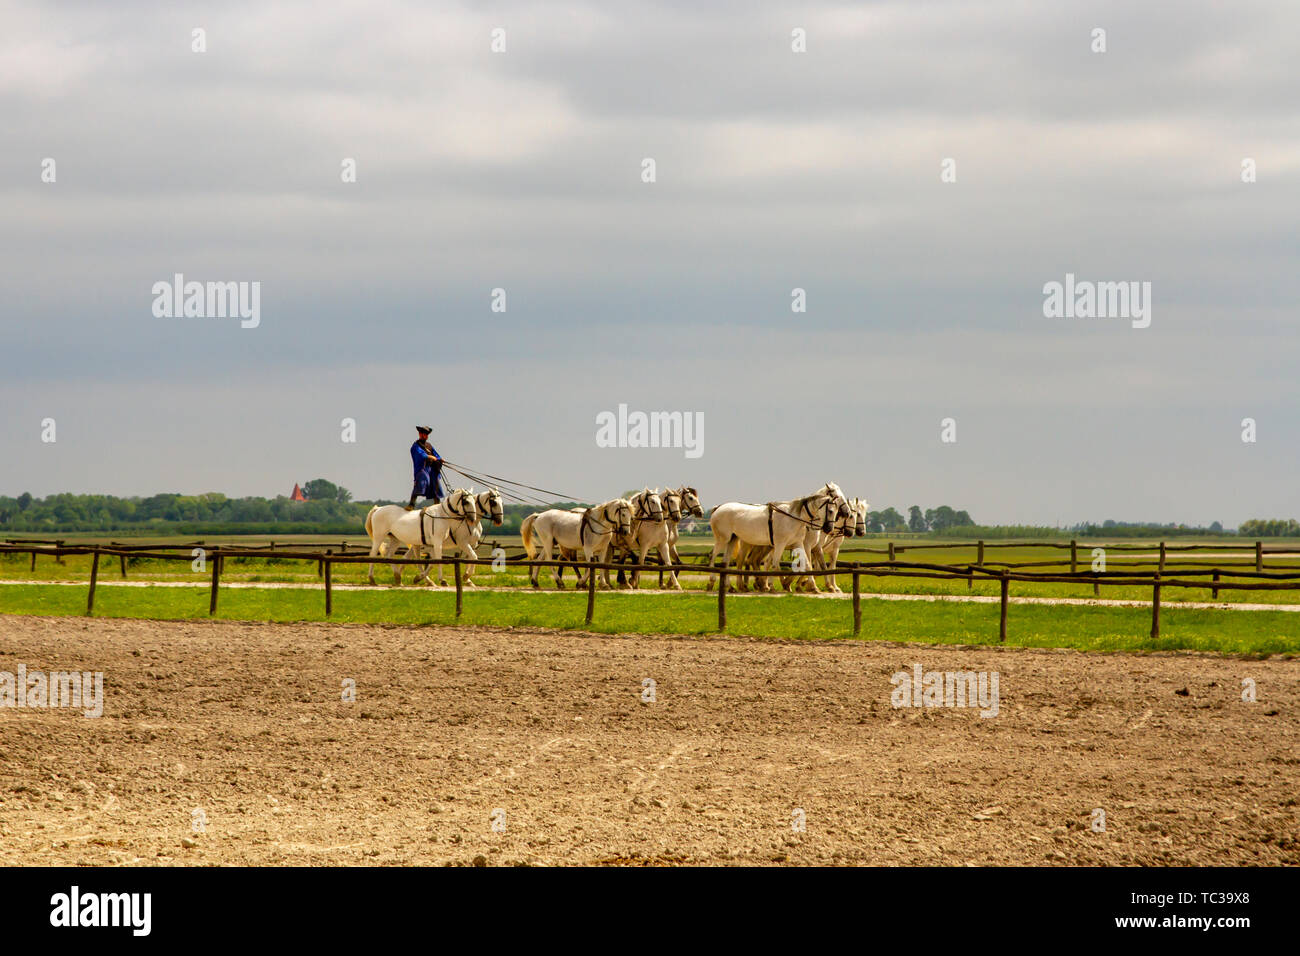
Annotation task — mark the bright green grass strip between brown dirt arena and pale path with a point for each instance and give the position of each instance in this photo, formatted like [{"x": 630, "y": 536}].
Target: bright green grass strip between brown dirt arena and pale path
[{"x": 790, "y": 617}]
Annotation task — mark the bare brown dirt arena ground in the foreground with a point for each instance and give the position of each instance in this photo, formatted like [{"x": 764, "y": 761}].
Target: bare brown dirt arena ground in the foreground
[{"x": 246, "y": 724}]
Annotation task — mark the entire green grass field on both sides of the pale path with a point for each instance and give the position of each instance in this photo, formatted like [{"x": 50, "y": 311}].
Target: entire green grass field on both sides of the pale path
[{"x": 695, "y": 612}]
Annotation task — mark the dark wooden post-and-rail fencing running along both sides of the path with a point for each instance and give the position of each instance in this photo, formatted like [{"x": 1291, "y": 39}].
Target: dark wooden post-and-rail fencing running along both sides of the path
[{"x": 1212, "y": 579}]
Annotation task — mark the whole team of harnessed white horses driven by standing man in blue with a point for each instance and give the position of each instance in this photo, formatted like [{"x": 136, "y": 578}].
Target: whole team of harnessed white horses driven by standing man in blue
[{"x": 746, "y": 537}]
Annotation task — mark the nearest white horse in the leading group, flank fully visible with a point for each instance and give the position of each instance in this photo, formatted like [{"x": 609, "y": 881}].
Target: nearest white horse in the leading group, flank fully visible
[{"x": 779, "y": 525}]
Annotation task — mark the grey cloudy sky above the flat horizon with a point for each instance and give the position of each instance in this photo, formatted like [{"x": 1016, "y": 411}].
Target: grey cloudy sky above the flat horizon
[{"x": 774, "y": 171}]
